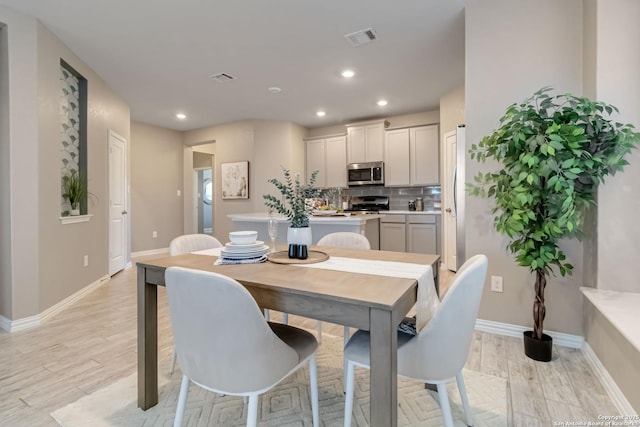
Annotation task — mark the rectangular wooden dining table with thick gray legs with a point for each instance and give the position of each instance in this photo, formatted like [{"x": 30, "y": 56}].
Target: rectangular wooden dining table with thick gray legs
[{"x": 373, "y": 302}]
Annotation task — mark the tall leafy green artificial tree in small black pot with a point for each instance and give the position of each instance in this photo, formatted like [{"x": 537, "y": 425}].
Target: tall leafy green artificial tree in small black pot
[{"x": 554, "y": 151}]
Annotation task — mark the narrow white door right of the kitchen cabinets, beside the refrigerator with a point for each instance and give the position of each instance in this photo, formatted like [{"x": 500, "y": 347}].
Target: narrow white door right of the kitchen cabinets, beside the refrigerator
[{"x": 448, "y": 201}]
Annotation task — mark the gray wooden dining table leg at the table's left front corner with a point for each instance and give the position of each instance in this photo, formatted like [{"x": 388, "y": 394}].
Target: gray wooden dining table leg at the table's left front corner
[{"x": 147, "y": 342}]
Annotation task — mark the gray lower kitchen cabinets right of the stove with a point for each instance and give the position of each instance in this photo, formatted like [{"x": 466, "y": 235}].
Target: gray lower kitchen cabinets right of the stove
[{"x": 416, "y": 233}]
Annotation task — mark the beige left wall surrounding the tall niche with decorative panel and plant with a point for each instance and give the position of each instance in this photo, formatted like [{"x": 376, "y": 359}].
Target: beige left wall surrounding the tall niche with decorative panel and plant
[{"x": 63, "y": 274}]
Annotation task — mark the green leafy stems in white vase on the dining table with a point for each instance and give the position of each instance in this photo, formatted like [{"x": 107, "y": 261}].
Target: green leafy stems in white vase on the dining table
[{"x": 296, "y": 204}]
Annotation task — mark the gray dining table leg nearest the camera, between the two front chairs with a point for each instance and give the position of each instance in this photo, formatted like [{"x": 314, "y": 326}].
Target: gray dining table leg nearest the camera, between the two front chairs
[{"x": 384, "y": 368}]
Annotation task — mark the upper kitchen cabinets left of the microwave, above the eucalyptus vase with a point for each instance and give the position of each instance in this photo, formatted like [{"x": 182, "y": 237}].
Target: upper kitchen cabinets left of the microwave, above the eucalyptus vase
[{"x": 329, "y": 156}]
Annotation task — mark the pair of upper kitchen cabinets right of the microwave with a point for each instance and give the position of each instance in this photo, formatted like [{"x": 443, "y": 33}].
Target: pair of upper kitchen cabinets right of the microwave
[{"x": 412, "y": 156}]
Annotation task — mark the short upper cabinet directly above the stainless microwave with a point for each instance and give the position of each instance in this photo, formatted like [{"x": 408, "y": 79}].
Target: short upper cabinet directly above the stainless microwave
[{"x": 365, "y": 141}]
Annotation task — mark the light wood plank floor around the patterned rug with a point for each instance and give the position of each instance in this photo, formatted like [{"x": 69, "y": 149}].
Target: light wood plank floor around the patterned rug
[{"x": 93, "y": 344}]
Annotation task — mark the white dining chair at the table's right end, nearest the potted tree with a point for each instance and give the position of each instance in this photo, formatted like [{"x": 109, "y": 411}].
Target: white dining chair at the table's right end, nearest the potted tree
[{"x": 439, "y": 351}]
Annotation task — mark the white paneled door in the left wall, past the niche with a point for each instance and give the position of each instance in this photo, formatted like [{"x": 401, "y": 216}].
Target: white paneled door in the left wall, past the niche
[{"x": 117, "y": 202}]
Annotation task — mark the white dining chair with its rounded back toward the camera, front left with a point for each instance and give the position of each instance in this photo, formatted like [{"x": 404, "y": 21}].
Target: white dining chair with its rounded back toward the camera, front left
[{"x": 225, "y": 345}]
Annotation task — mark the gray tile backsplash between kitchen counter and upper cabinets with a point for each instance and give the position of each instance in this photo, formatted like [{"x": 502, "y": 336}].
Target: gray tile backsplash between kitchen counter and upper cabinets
[{"x": 399, "y": 197}]
